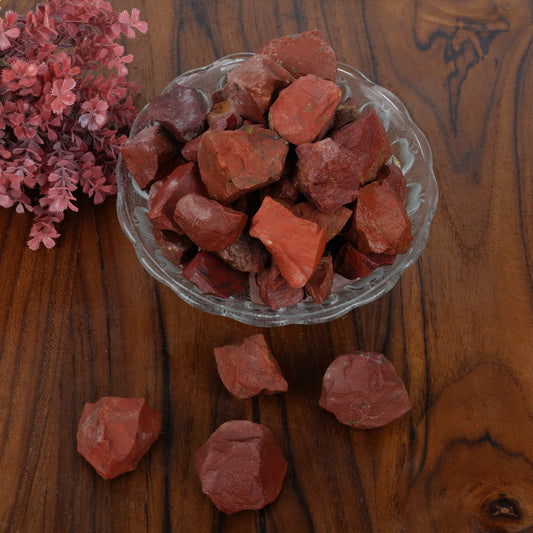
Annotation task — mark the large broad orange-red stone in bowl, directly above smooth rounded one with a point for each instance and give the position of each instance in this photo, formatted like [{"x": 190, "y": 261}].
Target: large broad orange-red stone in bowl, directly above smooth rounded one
[{"x": 233, "y": 163}]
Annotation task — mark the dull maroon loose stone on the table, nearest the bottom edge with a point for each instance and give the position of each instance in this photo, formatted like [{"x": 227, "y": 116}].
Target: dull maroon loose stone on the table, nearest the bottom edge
[{"x": 241, "y": 466}]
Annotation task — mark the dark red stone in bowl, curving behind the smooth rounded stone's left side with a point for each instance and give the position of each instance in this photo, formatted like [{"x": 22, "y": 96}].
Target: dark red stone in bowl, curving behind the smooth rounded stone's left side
[{"x": 183, "y": 180}]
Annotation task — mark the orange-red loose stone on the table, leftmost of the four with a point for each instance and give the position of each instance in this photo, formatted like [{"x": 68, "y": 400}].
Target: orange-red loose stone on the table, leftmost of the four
[{"x": 114, "y": 434}]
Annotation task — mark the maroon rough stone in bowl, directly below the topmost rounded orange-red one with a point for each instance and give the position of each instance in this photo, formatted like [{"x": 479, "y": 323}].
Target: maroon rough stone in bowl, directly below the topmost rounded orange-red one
[{"x": 328, "y": 174}]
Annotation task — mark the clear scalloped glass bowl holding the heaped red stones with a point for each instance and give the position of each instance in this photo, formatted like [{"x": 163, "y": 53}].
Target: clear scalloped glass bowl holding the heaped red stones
[{"x": 409, "y": 145}]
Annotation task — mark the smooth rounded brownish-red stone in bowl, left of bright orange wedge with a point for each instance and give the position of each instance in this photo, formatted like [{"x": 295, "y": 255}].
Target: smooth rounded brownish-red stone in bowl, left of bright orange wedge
[{"x": 211, "y": 225}]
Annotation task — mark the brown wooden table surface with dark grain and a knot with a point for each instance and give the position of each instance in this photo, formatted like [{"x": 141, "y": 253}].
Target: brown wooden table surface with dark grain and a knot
[{"x": 84, "y": 320}]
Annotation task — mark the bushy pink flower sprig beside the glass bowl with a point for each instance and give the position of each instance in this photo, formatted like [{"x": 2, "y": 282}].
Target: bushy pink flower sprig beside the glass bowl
[{"x": 61, "y": 123}]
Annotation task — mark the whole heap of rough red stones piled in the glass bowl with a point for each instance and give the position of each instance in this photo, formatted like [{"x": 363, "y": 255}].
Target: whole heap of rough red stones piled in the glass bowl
[{"x": 279, "y": 187}]
